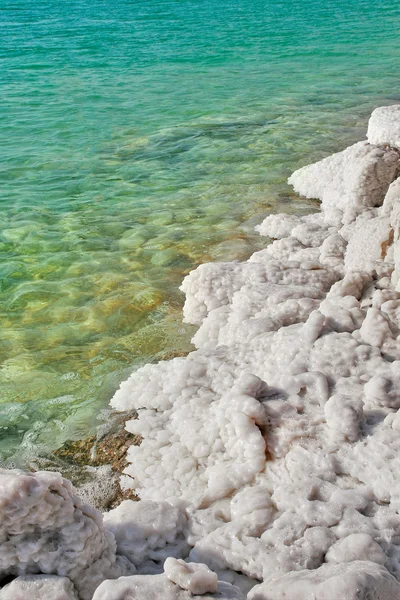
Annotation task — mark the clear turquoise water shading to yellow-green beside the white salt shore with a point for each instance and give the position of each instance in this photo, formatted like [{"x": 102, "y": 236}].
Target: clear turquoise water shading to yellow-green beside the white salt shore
[{"x": 138, "y": 139}]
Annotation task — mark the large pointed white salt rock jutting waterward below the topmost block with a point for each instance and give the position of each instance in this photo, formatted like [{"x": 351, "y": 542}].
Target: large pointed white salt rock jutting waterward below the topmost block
[{"x": 348, "y": 181}]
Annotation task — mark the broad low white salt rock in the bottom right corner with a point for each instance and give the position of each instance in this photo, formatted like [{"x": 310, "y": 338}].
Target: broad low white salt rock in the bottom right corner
[{"x": 359, "y": 580}]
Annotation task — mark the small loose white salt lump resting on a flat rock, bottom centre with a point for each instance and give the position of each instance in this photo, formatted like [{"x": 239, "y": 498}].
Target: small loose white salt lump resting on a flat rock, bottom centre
[{"x": 196, "y": 578}]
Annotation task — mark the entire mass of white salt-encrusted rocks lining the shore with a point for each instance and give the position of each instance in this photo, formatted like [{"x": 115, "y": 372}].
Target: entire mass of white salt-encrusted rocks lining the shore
[{"x": 270, "y": 461}]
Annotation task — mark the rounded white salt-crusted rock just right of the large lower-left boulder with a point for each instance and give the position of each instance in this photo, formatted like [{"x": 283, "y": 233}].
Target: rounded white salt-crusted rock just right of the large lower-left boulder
[{"x": 148, "y": 531}]
